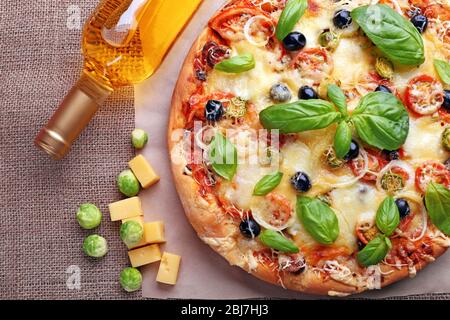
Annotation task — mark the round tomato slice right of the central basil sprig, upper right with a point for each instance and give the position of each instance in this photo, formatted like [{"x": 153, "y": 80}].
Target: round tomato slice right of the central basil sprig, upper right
[{"x": 424, "y": 95}]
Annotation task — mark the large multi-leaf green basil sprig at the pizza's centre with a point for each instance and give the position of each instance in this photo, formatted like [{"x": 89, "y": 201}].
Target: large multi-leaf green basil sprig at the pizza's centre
[{"x": 380, "y": 120}]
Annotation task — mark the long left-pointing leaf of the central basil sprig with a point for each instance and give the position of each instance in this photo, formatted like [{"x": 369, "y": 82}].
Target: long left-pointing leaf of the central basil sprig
[{"x": 299, "y": 116}]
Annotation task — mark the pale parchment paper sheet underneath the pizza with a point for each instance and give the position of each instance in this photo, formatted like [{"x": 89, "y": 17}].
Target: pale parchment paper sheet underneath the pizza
[{"x": 205, "y": 274}]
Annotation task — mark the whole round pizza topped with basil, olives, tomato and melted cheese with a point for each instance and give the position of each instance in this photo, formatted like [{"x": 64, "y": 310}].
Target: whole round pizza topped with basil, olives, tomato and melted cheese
[{"x": 310, "y": 140}]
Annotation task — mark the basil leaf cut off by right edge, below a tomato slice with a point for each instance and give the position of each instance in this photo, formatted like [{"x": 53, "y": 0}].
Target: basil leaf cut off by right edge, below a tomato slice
[{"x": 437, "y": 200}]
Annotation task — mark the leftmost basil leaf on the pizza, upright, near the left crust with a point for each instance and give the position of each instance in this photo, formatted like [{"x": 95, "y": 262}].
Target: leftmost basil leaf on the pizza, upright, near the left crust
[{"x": 223, "y": 155}]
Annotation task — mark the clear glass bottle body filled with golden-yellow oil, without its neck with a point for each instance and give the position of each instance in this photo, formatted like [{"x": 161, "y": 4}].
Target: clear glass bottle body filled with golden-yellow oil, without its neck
[{"x": 125, "y": 41}]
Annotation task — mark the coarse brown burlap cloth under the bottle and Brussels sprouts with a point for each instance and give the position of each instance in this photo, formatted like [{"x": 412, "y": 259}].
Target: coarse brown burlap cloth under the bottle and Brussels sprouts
[{"x": 39, "y": 237}]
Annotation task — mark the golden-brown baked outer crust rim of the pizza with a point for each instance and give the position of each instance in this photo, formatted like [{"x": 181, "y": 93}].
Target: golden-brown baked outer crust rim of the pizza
[{"x": 210, "y": 222}]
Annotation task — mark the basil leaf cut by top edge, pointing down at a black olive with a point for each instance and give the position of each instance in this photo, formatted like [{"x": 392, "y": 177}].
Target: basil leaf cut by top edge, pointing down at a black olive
[{"x": 291, "y": 14}]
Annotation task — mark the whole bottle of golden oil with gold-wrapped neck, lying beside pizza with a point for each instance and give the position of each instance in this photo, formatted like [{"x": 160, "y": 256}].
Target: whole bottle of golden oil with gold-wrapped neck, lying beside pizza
[{"x": 124, "y": 42}]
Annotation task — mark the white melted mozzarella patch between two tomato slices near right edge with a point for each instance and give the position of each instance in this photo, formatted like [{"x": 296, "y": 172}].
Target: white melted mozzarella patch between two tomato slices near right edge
[{"x": 424, "y": 140}]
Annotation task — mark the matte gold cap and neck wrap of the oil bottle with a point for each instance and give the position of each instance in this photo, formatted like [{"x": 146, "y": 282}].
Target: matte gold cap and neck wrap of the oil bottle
[{"x": 72, "y": 116}]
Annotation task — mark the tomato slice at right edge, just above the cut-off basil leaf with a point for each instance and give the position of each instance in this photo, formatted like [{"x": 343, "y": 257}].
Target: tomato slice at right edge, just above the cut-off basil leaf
[{"x": 432, "y": 171}]
